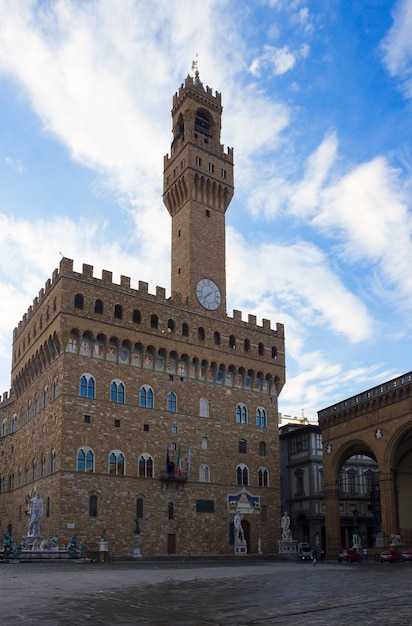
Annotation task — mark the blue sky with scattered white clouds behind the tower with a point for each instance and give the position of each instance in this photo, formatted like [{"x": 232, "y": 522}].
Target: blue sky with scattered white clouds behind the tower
[{"x": 317, "y": 105}]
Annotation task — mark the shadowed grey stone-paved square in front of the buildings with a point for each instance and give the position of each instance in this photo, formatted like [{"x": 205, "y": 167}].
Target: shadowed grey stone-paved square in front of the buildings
[{"x": 191, "y": 593}]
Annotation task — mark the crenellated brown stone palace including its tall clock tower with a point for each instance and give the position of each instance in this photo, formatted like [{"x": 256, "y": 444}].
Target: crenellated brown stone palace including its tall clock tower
[{"x": 127, "y": 404}]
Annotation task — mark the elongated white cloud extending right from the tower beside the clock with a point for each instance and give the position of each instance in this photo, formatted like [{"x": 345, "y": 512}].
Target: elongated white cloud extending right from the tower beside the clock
[{"x": 299, "y": 279}]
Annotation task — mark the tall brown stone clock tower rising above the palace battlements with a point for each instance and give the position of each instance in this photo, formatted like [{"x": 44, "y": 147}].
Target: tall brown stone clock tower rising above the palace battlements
[{"x": 197, "y": 189}]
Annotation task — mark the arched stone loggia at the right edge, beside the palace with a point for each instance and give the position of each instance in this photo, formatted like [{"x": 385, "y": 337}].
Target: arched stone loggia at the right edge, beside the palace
[{"x": 378, "y": 424}]
